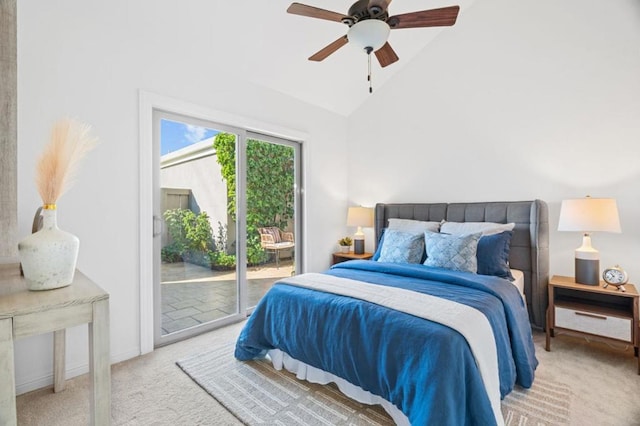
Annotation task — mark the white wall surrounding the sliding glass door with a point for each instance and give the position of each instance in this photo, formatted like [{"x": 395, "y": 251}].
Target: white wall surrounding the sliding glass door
[{"x": 89, "y": 59}]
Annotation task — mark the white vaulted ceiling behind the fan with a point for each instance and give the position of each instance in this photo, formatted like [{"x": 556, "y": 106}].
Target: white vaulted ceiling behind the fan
[{"x": 276, "y": 45}]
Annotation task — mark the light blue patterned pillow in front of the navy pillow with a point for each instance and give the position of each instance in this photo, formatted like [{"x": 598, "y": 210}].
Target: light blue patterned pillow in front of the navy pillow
[{"x": 454, "y": 252}]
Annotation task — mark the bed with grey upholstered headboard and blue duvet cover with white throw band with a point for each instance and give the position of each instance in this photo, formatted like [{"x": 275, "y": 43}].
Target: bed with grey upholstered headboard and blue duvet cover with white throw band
[{"x": 432, "y": 344}]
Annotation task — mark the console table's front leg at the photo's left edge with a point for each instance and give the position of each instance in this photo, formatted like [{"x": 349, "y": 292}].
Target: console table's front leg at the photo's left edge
[{"x": 7, "y": 374}]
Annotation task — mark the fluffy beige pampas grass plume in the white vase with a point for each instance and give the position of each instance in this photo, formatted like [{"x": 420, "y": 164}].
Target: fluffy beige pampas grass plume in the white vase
[{"x": 58, "y": 164}]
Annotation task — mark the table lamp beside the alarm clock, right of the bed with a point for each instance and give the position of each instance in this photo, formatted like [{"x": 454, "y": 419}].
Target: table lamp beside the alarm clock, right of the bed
[{"x": 588, "y": 215}]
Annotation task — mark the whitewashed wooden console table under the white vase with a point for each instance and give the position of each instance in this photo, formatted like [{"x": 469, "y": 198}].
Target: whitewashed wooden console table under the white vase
[{"x": 26, "y": 313}]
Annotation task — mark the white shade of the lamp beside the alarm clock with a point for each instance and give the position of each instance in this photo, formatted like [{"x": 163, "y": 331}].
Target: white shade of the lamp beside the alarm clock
[{"x": 589, "y": 214}]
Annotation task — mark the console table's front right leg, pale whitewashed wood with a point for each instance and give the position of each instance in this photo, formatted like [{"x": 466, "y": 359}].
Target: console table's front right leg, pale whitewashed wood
[{"x": 99, "y": 364}]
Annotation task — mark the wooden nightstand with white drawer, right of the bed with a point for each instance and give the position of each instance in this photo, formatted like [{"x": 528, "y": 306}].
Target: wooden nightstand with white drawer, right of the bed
[{"x": 599, "y": 313}]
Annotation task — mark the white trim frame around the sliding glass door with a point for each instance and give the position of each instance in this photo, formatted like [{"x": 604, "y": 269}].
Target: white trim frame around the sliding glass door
[{"x": 149, "y": 101}]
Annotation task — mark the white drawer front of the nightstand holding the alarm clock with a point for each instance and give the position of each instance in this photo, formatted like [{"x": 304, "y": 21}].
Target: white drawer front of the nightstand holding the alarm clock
[{"x": 594, "y": 323}]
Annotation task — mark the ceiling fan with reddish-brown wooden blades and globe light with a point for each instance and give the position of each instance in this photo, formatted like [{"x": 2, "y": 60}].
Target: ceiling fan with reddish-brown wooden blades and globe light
[{"x": 369, "y": 25}]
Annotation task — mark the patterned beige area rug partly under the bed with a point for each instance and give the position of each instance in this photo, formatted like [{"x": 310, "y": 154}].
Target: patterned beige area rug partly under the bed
[{"x": 257, "y": 394}]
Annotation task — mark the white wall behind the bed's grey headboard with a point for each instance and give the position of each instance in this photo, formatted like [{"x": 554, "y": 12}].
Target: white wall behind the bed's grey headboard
[{"x": 519, "y": 100}]
